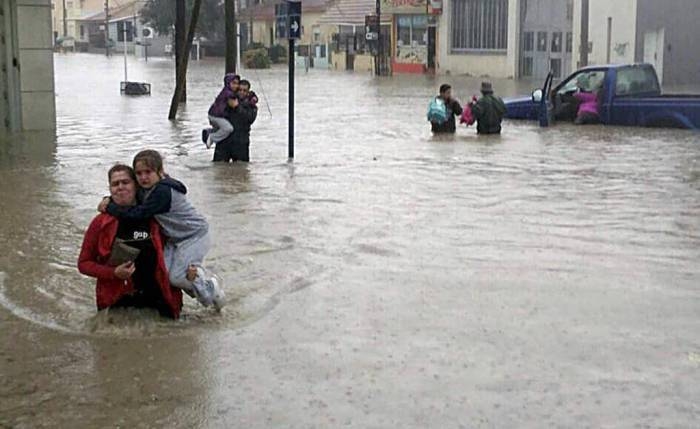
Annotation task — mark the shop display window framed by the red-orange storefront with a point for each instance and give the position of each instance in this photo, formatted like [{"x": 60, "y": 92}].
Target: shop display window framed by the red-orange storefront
[{"x": 412, "y": 39}]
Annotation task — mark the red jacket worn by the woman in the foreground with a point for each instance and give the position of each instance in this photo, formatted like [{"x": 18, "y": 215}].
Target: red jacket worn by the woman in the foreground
[{"x": 92, "y": 262}]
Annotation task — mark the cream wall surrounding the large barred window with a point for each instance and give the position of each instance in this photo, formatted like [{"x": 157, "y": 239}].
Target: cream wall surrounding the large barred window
[{"x": 504, "y": 65}]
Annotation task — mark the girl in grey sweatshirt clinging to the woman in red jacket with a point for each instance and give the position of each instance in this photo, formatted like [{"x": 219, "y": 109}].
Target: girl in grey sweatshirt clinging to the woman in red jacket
[{"x": 187, "y": 231}]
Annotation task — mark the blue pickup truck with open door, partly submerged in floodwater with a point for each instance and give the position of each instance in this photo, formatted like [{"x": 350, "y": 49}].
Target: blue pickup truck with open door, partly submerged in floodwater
[{"x": 627, "y": 95}]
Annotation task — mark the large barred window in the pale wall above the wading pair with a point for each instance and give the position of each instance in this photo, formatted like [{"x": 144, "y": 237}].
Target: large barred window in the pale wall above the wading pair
[{"x": 479, "y": 25}]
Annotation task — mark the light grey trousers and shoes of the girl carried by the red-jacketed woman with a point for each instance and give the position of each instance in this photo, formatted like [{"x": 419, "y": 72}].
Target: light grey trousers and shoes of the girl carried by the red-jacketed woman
[{"x": 187, "y": 273}]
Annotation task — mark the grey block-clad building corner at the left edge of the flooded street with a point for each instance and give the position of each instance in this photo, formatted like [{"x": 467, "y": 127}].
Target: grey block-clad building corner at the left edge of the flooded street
[{"x": 26, "y": 66}]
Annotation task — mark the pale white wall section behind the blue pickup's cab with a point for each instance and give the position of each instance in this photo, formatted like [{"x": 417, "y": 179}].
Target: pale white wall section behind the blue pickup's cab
[{"x": 622, "y": 35}]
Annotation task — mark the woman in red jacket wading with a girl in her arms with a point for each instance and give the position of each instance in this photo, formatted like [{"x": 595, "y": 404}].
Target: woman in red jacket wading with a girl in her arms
[{"x": 142, "y": 282}]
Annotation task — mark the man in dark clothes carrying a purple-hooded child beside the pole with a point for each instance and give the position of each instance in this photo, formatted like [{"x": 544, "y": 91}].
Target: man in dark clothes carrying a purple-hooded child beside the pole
[{"x": 236, "y": 147}]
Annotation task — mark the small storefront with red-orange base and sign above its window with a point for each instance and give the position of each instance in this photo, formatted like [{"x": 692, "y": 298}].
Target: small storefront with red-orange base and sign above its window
[{"x": 414, "y": 34}]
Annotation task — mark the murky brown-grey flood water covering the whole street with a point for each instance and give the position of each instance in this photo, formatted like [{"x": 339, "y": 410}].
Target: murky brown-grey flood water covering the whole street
[{"x": 384, "y": 279}]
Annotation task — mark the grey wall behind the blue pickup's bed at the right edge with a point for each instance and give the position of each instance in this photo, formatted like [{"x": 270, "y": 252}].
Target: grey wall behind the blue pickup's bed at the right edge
[{"x": 681, "y": 21}]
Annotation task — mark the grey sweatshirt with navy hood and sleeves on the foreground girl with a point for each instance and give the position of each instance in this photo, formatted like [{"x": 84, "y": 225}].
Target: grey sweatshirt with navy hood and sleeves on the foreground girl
[{"x": 166, "y": 201}]
